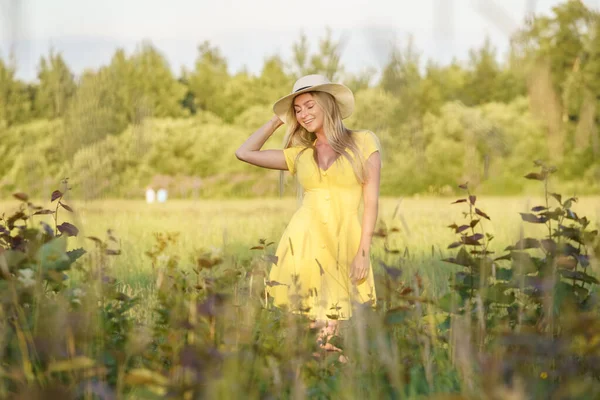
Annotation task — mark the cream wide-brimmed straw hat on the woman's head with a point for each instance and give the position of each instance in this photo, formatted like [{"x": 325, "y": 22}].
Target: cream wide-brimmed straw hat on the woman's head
[{"x": 309, "y": 83}]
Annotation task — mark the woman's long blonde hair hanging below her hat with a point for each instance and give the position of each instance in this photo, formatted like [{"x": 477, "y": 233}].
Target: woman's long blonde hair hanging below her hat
[{"x": 340, "y": 138}]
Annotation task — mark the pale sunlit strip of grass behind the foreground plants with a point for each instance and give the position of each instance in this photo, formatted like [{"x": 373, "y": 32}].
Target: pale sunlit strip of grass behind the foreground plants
[{"x": 236, "y": 225}]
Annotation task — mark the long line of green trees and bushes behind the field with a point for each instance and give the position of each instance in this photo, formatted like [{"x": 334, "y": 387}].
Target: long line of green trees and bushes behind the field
[{"x": 134, "y": 122}]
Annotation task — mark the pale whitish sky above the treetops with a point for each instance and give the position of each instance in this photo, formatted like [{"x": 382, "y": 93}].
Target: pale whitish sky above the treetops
[{"x": 87, "y": 33}]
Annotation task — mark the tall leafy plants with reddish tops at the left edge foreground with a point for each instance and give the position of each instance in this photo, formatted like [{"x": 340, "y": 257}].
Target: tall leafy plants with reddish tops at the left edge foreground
[{"x": 50, "y": 335}]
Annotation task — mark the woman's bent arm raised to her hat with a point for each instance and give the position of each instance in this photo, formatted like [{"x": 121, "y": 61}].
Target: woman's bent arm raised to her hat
[{"x": 250, "y": 151}]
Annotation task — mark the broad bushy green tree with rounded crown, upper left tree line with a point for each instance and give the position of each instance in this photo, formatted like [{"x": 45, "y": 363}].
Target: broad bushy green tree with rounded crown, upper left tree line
[{"x": 126, "y": 91}]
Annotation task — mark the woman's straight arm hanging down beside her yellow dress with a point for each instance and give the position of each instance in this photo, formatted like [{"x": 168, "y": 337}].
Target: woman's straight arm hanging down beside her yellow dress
[{"x": 360, "y": 264}]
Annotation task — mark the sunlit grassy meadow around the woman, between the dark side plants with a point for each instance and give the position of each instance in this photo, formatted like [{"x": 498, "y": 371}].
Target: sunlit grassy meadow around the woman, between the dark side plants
[{"x": 191, "y": 318}]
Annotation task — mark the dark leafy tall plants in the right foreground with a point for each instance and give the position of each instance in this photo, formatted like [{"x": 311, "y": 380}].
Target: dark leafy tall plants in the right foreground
[{"x": 528, "y": 305}]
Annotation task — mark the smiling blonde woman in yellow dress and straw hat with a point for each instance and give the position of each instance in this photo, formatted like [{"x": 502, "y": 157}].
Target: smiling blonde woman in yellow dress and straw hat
[{"x": 323, "y": 264}]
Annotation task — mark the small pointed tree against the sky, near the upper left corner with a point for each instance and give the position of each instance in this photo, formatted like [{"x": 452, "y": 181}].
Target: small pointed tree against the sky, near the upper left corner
[{"x": 56, "y": 87}]
